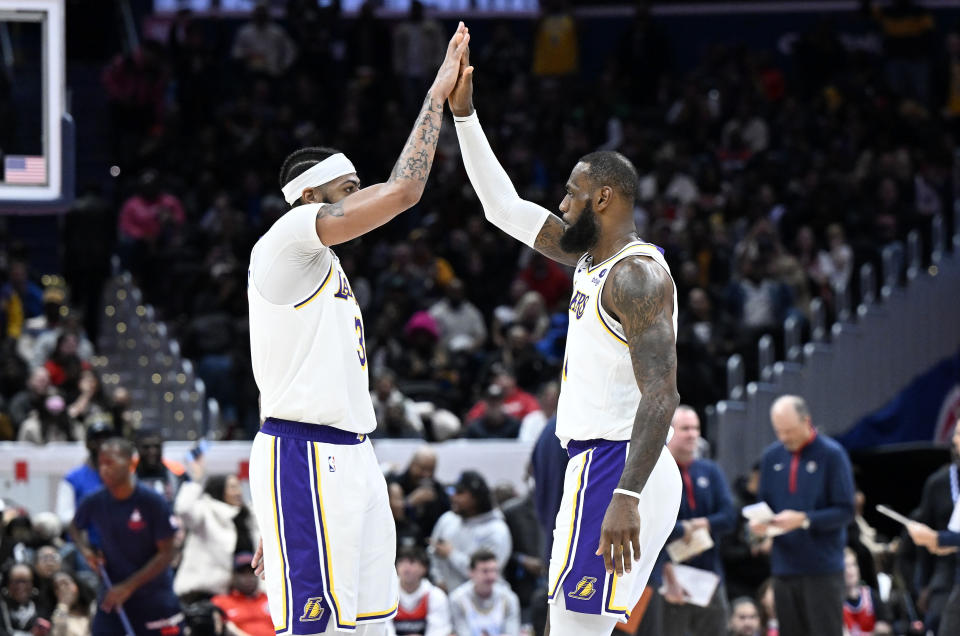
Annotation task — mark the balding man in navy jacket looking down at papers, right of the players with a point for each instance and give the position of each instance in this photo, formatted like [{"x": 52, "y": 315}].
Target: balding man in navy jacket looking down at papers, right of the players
[{"x": 807, "y": 481}]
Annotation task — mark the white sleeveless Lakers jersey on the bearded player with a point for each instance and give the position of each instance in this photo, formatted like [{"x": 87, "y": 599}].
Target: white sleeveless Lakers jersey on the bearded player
[{"x": 598, "y": 391}]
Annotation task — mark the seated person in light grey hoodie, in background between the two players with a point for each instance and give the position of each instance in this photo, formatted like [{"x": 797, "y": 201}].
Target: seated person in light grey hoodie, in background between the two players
[{"x": 471, "y": 524}]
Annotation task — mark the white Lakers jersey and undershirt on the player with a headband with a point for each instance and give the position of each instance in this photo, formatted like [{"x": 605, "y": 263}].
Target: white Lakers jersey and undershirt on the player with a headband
[{"x": 308, "y": 353}]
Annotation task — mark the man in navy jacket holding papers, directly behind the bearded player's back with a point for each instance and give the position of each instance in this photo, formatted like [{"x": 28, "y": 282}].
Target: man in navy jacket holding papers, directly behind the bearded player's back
[{"x": 706, "y": 514}]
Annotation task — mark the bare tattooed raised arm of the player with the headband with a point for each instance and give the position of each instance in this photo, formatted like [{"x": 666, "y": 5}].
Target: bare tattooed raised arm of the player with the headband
[{"x": 373, "y": 206}]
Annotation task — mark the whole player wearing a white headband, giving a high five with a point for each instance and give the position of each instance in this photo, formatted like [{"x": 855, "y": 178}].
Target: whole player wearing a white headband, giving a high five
[{"x": 321, "y": 501}]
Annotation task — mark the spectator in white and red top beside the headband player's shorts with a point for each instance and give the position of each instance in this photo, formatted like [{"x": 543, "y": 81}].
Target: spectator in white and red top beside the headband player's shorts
[{"x": 423, "y": 609}]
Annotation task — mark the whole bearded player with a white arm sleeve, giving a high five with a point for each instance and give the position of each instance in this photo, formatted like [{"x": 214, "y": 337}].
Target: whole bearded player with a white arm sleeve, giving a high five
[{"x": 618, "y": 388}]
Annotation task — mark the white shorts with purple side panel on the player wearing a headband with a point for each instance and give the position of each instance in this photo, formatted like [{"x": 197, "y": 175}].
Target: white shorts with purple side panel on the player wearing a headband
[{"x": 329, "y": 540}]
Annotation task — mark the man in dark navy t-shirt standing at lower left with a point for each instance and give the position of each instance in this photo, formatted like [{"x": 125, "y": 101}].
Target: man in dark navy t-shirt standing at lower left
[{"x": 136, "y": 534}]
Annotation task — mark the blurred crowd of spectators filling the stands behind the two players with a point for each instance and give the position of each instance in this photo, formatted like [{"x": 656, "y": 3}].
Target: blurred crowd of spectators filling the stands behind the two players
[{"x": 766, "y": 185}]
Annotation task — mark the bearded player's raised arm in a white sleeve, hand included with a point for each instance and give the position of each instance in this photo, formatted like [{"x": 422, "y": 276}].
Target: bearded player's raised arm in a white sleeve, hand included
[{"x": 525, "y": 221}]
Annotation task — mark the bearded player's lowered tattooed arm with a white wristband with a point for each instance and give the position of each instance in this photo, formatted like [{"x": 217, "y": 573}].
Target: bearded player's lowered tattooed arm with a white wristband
[{"x": 640, "y": 295}]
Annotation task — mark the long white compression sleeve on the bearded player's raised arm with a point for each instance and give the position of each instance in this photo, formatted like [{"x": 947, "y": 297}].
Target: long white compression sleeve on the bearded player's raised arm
[{"x": 502, "y": 205}]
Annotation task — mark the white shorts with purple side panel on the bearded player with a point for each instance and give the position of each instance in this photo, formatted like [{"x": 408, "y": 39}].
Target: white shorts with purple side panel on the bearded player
[{"x": 576, "y": 571}]
